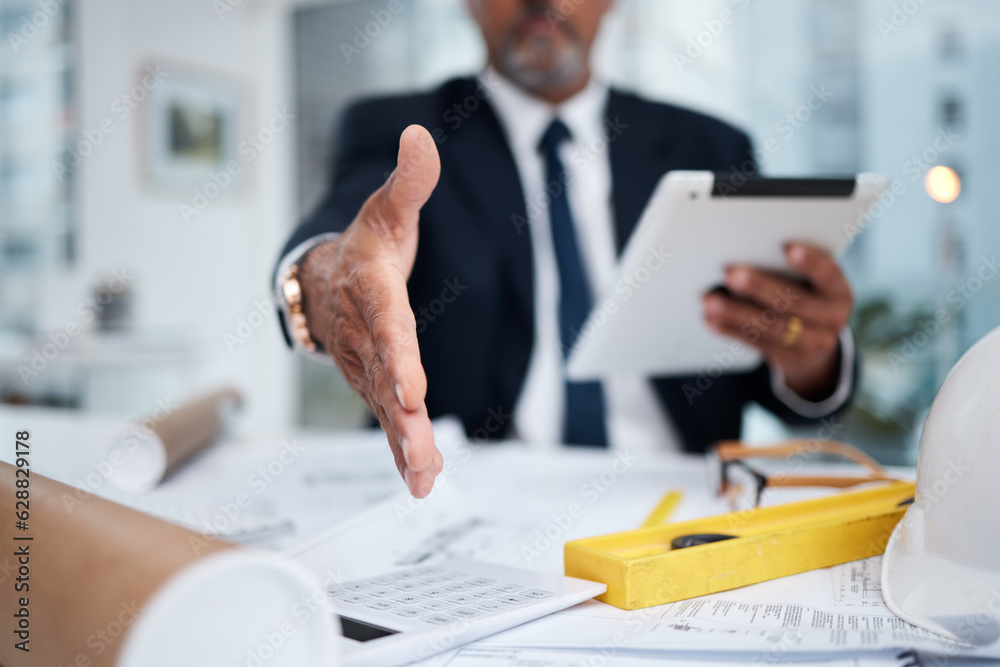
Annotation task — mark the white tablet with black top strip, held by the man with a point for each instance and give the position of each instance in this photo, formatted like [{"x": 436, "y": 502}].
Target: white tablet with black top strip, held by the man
[{"x": 651, "y": 319}]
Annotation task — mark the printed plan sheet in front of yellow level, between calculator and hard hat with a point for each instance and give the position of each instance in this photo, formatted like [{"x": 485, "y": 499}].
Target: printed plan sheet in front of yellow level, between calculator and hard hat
[{"x": 813, "y": 613}]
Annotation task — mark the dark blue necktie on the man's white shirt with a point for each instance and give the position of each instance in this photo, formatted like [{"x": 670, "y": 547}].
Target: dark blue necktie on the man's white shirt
[{"x": 584, "y": 417}]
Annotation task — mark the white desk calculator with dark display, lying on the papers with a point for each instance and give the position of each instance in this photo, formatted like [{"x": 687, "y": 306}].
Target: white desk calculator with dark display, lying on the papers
[{"x": 415, "y": 613}]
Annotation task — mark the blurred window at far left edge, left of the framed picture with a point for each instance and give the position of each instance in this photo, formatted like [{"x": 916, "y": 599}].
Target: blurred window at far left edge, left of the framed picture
[{"x": 35, "y": 232}]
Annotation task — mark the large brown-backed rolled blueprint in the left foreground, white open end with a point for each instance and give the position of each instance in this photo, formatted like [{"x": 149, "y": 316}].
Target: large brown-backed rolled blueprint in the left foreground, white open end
[{"x": 90, "y": 582}]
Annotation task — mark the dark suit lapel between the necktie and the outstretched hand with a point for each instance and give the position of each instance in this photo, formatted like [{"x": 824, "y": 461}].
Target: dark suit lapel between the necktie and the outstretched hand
[{"x": 484, "y": 170}]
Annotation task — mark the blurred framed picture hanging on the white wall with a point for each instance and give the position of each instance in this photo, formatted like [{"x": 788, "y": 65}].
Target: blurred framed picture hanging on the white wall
[{"x": 193, "y": 127}]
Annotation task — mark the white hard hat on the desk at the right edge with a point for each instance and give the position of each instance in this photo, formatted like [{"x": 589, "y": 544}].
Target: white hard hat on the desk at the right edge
[{"x": 941, "y": 569}]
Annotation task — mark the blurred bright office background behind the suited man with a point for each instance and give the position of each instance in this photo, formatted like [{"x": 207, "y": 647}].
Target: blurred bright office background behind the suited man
[{"x": 154, "y": 156}]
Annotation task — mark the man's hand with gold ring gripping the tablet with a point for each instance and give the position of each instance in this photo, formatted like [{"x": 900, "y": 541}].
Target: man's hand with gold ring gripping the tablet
[{"x": 796, "y": 326}]
